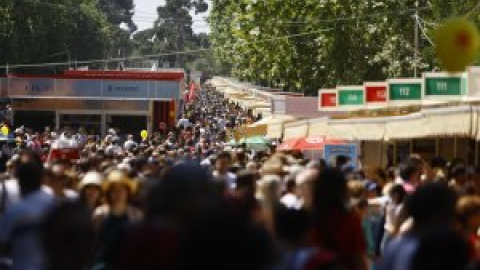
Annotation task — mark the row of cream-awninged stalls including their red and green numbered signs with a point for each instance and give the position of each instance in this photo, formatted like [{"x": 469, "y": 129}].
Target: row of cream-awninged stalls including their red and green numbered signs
[{"x": 436, "y": 115}]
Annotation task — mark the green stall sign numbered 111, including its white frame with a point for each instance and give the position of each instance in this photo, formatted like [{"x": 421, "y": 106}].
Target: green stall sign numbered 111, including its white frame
[{"x": 444, "y": 86}]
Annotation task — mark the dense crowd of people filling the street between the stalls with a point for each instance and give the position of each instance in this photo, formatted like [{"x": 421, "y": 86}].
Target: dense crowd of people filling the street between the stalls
[{"x": 186, "y": 199}]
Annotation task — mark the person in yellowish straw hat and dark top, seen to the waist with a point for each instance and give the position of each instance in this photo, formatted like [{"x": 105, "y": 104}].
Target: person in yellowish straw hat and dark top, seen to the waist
[{"x": 113, "y": 218}]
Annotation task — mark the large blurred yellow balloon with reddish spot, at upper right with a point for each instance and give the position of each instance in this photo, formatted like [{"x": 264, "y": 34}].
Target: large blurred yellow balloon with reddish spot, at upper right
[{"x": 456, "y": 44}]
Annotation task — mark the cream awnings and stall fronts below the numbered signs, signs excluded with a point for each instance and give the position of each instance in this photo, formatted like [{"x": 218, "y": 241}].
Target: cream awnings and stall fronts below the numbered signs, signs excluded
[{"x": 450, "y": 132}]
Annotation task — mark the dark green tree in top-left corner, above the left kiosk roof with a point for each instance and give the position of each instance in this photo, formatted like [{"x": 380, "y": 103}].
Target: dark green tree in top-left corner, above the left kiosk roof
[{"x": 46, "y": 31}]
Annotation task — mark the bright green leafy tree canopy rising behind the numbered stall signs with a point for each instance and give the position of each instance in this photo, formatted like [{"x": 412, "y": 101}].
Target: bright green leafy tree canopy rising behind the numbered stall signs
[{"x": 311, "y": 44}]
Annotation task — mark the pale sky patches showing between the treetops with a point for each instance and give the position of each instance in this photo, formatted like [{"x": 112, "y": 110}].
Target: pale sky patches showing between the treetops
[{"x": 146, "y": 14}]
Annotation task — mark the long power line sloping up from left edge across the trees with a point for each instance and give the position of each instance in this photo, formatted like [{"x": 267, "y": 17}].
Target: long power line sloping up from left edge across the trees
[{"x": 156, "y": 55}]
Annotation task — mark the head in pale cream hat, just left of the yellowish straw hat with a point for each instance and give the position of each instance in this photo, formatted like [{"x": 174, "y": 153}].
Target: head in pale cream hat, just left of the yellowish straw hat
[{"x": 90, "y": 189}]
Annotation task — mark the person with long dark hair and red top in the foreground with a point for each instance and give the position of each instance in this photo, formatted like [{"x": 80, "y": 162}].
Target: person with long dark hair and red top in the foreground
[{"x": 337, "y": 226}]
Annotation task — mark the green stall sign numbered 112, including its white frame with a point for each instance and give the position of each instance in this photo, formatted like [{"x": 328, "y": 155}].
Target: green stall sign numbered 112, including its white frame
[{"x": 404, "y": 91}]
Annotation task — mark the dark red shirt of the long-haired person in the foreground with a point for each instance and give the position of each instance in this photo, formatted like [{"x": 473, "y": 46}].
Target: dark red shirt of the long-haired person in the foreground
[{"x": 345, "y": 237}]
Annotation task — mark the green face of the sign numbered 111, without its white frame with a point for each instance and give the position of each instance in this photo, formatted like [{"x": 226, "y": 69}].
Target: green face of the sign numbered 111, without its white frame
[{"x": 445, "y": 86}]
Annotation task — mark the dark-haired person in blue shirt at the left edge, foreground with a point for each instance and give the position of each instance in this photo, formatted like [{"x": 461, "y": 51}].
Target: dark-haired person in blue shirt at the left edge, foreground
[{"x": 20, "y": 228}]
